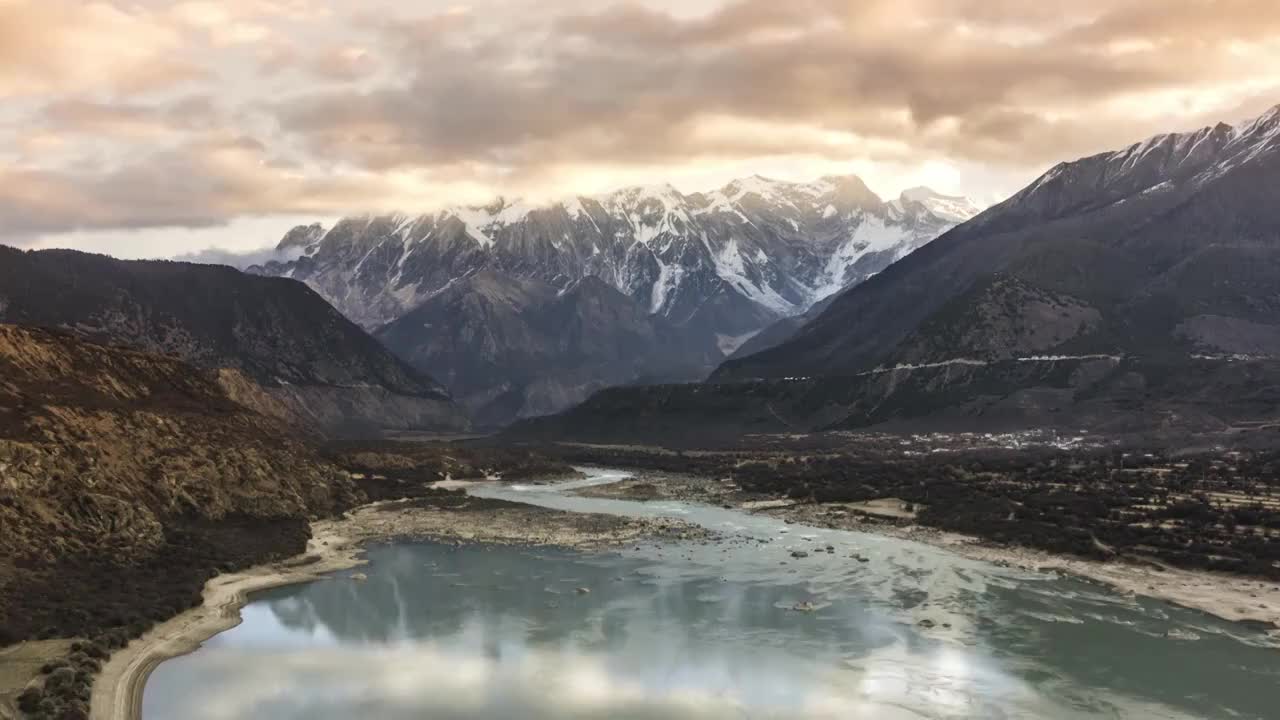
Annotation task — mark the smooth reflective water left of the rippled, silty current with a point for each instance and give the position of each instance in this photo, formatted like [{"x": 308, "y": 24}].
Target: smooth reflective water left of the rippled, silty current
[{"x": 497, "y": 634}]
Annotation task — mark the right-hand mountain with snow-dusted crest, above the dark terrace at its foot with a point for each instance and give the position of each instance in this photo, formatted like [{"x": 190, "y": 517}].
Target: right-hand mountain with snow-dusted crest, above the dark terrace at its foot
[{"x": 1167, "y": 247}]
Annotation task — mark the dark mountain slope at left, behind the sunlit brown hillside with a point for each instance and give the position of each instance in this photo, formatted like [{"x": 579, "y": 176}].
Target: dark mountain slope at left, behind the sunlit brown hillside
[{"x": 278, "y": 332}]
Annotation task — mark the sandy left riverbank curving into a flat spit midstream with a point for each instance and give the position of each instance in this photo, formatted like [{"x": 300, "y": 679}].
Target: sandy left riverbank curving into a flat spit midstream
[{"x": 337, "y": 545}]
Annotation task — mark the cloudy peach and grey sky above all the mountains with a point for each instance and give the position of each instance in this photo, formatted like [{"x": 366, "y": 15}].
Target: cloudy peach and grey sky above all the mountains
[{"x": 149, "y": 129}]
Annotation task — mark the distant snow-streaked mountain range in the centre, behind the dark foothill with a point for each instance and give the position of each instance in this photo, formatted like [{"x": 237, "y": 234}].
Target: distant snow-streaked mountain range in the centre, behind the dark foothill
[{"x": 721, "y": 265}]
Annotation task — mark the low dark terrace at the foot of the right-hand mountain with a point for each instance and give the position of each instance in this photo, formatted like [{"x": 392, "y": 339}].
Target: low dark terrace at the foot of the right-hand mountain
[{"x": 1144, "y": 398}]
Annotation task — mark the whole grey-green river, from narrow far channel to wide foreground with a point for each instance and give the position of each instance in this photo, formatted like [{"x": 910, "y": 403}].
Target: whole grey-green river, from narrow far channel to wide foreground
[{"x": 875, "y": 627}]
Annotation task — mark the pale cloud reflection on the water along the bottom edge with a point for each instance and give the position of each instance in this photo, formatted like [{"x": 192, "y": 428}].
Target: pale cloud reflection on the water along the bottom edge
[{"x": 459, "y": 680}]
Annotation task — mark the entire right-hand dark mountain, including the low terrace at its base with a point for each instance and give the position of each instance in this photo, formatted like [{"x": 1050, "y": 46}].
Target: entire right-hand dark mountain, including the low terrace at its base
[{"x": 1128, "y": 291}]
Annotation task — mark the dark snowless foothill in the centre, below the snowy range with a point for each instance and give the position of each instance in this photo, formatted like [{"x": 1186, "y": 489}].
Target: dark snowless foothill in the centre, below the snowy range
[{"x": 515, "y": 348}]
